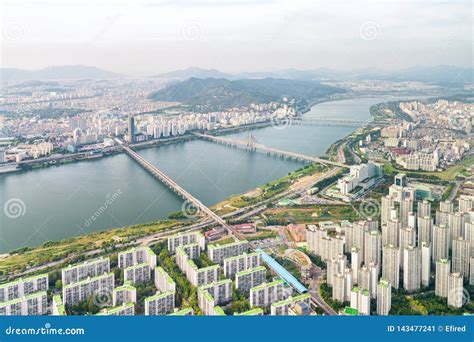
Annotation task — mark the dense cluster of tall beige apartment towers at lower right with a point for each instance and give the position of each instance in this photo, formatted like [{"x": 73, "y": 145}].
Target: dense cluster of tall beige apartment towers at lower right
[{"x": 410, "y": 250}]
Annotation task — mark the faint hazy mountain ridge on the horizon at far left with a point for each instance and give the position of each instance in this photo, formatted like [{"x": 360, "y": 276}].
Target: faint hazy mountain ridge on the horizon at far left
[{"x": 56, "y": 73}]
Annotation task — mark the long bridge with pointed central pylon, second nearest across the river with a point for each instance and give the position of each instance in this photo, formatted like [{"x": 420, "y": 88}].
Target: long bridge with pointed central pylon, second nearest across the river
[{"x": 255, "y": 146}]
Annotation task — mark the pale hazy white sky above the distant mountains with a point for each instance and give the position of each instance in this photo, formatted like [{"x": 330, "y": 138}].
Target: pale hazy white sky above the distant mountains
[{"x": 139, "y": 37}]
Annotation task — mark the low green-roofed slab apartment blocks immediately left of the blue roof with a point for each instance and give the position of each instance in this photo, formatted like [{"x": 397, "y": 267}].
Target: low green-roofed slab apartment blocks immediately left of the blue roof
[{"x": 234, "y": 267}]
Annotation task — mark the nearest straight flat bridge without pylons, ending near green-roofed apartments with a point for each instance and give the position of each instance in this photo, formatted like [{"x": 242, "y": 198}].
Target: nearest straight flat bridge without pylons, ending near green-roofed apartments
[{"x": 180, "y": 191}]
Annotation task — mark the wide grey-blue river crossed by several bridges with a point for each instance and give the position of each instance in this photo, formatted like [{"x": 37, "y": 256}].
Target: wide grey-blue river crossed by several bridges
[{"x": 56, "y": 202}]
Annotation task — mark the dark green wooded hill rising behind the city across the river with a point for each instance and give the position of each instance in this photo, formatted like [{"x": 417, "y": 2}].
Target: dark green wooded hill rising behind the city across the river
[{"x": 220, "y": 93}]
